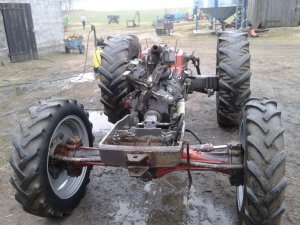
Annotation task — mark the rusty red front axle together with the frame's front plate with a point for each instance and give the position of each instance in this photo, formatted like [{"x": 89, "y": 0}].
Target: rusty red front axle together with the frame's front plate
[{"x": 155, "y": 162}]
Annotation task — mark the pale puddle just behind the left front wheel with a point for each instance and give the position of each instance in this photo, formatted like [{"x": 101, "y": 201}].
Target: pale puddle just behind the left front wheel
[{"x": 100, "y": 122}]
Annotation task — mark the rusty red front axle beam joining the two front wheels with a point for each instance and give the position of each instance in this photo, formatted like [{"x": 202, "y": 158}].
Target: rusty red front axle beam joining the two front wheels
[{"x": 204, "y": 157}]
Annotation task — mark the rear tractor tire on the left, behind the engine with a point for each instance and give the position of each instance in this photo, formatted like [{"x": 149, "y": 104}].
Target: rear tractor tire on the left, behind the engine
[{"x": 117, "y": 53}]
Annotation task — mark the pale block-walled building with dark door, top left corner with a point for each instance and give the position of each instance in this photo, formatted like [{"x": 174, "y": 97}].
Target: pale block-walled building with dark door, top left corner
[{"x": 29, "y": 28}]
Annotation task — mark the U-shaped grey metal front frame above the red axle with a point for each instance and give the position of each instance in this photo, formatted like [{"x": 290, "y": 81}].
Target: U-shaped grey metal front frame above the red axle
[{"x": 140, "y": 143}]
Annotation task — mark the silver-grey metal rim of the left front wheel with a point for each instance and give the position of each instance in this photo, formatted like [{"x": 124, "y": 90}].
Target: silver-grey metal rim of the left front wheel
[{"x": 63, "y": 185}]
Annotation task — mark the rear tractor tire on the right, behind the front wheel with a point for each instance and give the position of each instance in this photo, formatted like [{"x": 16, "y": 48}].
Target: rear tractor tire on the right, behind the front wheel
[{"x": 233, "y": 70}]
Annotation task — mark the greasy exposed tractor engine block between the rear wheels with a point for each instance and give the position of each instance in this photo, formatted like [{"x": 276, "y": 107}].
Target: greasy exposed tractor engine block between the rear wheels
[{"x": 157, "y": 85}]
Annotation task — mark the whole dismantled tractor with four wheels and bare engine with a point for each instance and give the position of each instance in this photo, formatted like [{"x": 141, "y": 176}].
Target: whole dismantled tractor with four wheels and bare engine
[{"x": 144, "y": 94}]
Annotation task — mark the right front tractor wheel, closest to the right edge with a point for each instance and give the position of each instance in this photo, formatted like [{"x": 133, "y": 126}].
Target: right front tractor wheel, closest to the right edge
[{"x": 260, "y": 198}]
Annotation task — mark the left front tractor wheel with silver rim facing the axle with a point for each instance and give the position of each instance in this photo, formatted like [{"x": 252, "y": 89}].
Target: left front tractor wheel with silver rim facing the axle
[{"x": 46, "y": 187}]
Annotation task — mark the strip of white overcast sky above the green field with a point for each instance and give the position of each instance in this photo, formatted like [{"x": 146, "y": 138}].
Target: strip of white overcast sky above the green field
[{"x": 111, "y": 5}]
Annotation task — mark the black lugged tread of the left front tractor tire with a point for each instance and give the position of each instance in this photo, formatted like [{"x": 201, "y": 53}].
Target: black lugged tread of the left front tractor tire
[{"x": 26, "y": 162}]
